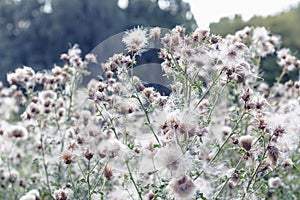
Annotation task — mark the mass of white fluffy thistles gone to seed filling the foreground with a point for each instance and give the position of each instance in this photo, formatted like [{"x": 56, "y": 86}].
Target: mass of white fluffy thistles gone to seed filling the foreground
[{"x": 222, "y": 132}]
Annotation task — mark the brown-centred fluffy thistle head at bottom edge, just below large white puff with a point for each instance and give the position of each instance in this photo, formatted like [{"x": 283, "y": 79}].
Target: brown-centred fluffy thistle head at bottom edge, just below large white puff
[{"x": 183, "y": 187}]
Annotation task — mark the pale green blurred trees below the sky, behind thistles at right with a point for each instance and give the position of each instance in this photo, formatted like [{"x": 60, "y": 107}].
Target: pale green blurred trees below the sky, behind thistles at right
[{"x": 285, "y": 24}]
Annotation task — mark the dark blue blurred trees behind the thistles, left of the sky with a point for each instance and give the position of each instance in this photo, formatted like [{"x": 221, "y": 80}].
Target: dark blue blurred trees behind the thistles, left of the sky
[{"x": 36, "y": 32}]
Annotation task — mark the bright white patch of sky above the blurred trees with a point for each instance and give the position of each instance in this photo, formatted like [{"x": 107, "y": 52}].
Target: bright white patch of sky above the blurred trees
[{"x": 206, "y": 11}]
